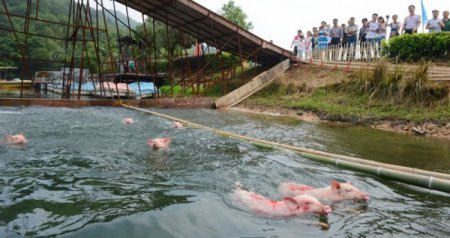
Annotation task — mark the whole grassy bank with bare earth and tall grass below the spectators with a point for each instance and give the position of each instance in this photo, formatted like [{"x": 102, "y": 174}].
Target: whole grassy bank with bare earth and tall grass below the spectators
[{"x": 357, "y": 97}]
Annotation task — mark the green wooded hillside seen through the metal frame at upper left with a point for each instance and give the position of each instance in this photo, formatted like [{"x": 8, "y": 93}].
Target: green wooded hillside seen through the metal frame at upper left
[{"x": 41, "y": 50}]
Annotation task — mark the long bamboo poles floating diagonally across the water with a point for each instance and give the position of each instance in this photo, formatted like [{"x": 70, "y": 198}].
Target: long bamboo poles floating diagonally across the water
[{"x": 417, "y": 177}]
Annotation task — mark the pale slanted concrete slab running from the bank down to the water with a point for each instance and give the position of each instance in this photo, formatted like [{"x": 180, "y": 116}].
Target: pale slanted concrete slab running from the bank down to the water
[{"x": 253, "y": 86}]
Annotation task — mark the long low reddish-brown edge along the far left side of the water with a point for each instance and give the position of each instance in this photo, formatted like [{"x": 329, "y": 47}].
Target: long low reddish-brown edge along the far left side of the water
[{"x": 204, "y": 103}]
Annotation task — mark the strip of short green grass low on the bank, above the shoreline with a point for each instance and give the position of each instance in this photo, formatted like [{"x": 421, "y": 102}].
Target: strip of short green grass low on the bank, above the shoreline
[{"x": 334, "y": 105}]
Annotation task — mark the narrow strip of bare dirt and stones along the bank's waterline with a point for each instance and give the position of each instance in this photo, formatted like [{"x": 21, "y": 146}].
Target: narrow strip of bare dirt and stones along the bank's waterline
[{"x": 426, "y": 129}]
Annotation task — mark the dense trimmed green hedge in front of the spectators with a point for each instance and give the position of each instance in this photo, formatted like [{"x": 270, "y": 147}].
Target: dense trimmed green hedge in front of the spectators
[{"x": 432, "y": 46}]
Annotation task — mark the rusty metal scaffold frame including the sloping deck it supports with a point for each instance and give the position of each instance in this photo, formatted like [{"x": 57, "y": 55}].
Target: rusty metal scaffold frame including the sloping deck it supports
[{"x": 83, "y": 32}]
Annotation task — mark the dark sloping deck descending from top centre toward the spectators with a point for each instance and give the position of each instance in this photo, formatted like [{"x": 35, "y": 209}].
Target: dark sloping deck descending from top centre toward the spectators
[{"x": 211, "y": 28}]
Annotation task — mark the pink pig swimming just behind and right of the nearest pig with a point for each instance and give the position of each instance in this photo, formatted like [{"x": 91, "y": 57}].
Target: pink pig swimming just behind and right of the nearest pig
[{"x": 335, "y": 192}]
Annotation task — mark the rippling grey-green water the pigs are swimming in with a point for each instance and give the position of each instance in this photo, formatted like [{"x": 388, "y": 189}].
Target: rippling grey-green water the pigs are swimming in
[{"x": 84, "y": 174}]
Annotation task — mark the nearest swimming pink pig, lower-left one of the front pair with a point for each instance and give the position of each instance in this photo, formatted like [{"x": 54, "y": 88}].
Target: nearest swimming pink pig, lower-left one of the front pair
[{"x": 289, "y": 206}]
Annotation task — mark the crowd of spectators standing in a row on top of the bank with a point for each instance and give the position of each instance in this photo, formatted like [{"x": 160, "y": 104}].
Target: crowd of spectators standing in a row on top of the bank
[{"x": 373, "y": 31}]
